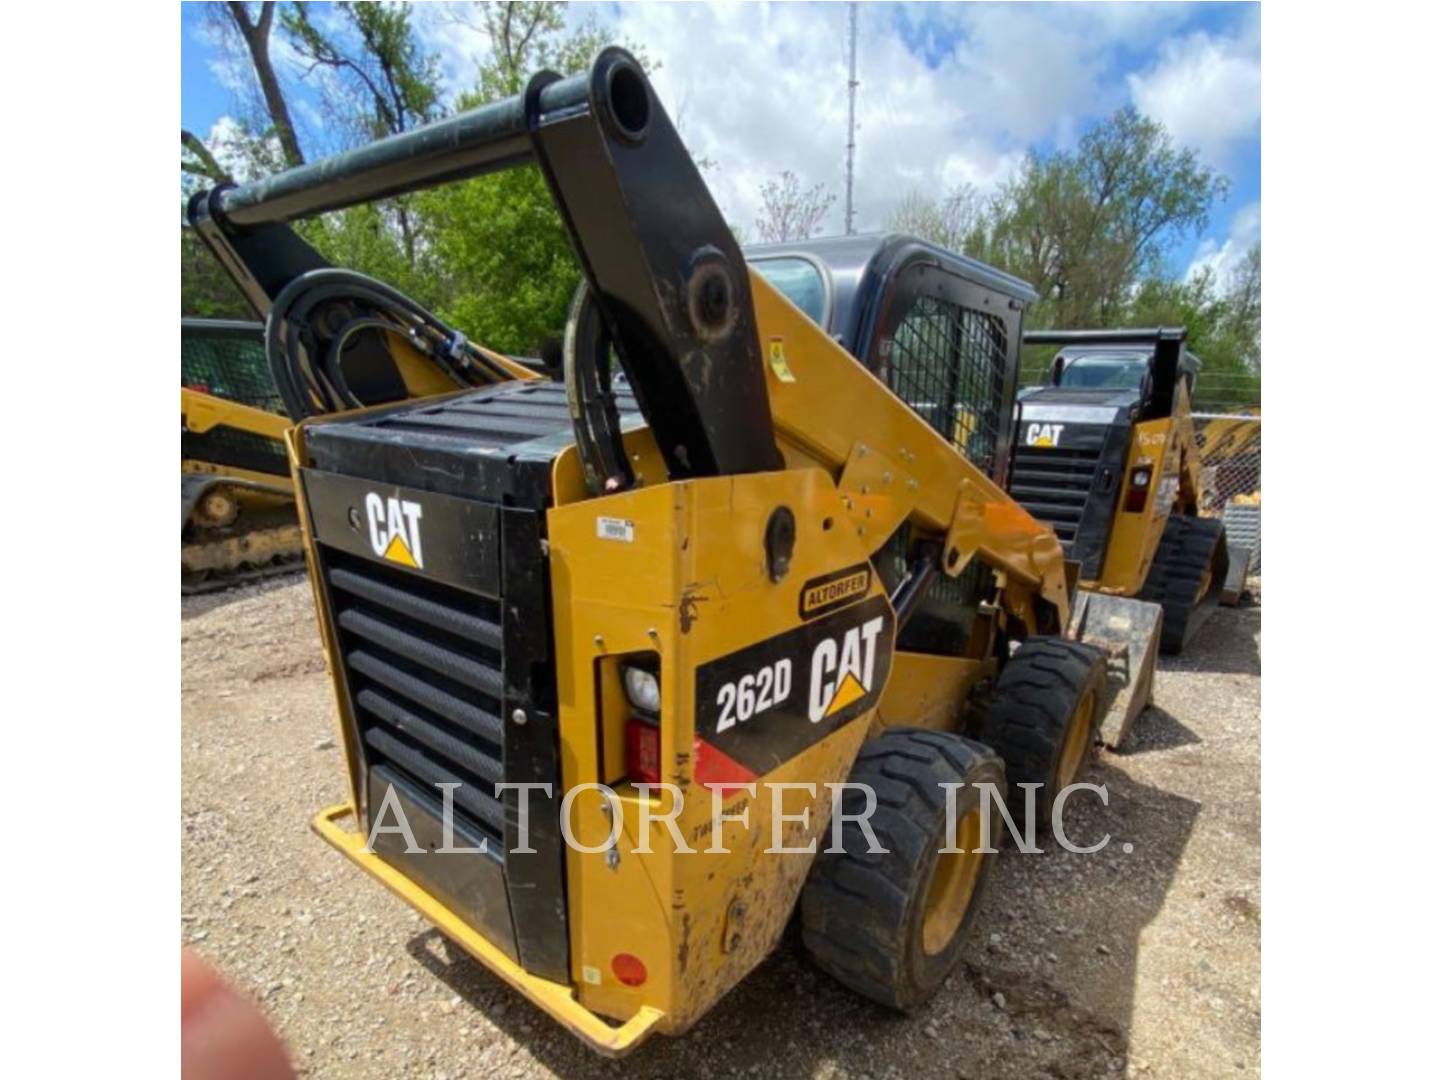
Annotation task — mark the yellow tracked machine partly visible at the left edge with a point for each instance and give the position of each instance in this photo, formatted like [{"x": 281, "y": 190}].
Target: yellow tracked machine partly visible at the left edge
[{"x": 237, "y": 500}]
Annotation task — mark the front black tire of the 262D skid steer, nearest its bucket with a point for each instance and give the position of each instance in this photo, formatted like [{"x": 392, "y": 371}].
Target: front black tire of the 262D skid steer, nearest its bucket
[{"x": 1036, "y": 701}]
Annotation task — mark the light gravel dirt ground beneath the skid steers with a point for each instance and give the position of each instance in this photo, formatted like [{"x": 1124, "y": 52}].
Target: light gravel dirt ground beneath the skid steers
[{"x": 1143, "y": 963}]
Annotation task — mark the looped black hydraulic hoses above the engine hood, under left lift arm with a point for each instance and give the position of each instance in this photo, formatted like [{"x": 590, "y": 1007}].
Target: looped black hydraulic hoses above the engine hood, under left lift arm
[{"x": 319, "y": 315}]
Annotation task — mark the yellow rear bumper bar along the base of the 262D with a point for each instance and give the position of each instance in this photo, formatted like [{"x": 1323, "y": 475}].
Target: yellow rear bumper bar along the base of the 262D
[{"x": 551, "y": 997}]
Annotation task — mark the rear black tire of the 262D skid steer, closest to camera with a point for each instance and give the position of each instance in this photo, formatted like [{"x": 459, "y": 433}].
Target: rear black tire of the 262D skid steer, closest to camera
[{"x": 863, "y": 914}]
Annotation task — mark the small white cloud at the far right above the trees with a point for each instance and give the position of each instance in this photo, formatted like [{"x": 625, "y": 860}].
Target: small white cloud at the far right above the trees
[{"x": 1206, "y": 90}]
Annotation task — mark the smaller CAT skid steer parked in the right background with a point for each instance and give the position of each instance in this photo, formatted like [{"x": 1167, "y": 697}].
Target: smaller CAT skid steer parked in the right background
[{"x": 1107, "y": 454}]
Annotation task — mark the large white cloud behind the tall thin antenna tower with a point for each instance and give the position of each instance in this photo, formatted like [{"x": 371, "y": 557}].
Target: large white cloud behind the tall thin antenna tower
[{"x": 761, "y": 90}]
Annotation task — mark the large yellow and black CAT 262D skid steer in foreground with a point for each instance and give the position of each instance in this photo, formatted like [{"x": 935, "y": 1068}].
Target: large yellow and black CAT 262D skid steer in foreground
[{"x": 544, "y": 603}]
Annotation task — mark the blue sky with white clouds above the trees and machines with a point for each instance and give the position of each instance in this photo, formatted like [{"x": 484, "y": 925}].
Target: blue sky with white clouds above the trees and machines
[{"x": 950, "y": 93}]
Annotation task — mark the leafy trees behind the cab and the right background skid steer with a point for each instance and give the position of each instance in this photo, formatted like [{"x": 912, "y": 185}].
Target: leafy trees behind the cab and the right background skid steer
[{"x": 1091, "y": 230}]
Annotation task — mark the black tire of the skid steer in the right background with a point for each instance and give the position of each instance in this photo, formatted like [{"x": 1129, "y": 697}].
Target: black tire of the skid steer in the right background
[{"x": 1189, "y": 548}]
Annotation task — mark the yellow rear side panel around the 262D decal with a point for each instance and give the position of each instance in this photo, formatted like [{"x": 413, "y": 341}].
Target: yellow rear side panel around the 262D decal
[{"x": 692, "y": 588}]
